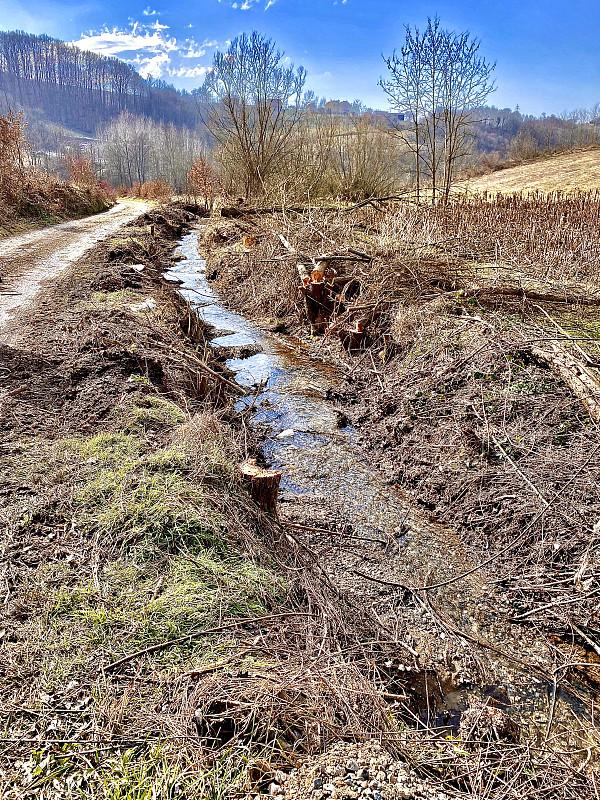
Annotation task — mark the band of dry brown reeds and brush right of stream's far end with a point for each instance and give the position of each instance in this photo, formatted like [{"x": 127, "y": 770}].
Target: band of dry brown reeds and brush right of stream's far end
[{"x": 543, "y": 245}]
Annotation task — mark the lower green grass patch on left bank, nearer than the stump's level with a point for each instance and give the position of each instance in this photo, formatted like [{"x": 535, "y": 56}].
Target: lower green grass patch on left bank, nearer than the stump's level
[{"x": 142, "y": 604}]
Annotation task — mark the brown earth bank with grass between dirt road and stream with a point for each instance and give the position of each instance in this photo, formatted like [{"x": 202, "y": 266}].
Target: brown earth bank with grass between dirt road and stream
[{"x": 116, "y": 473}]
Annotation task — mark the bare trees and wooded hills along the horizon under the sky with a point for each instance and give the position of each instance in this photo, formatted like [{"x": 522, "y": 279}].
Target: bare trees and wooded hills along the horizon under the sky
[{"x": 263, "y": 131}]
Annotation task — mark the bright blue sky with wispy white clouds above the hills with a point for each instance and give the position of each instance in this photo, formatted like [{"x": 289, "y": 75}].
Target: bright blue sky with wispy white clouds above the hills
[{"x": 547, "y": 52}]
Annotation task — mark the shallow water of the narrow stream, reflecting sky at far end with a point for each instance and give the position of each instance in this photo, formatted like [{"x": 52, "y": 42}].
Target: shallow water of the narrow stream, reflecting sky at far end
[{"x": 321, "y": 461}]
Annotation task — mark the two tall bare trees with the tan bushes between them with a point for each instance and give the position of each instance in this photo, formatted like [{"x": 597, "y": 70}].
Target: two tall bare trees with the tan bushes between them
[{"x": 256, "y": 112}]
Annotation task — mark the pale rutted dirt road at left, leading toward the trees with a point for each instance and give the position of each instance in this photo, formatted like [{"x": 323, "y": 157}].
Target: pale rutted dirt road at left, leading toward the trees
[{"x": 28, "y": 260}]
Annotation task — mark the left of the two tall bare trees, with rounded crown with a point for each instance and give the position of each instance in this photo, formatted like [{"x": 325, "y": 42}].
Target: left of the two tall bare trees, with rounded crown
[{"x": 253, "y": 105}]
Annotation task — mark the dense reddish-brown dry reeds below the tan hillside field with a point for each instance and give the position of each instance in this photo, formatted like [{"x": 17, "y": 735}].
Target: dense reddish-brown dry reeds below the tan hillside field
[{"x": 552, "y": 237}]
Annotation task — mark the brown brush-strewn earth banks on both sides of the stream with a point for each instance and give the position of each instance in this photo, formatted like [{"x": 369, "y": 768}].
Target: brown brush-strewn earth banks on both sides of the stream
[{"x": 128, "y": 539}]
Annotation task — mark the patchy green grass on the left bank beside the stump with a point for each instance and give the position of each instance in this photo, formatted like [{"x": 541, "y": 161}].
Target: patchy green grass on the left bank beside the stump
[{"x": 144, "y": 555}]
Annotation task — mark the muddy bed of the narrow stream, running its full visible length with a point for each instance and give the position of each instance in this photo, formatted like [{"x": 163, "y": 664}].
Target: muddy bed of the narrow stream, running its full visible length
[{"x": 323, "y": 463}]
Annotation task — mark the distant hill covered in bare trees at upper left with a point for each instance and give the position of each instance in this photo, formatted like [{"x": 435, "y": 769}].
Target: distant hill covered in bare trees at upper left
[{"x": 58, "y": 83}]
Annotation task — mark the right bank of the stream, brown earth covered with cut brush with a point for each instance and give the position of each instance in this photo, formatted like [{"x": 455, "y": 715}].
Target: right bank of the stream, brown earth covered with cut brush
[{"x": 458, "y": 404}]
